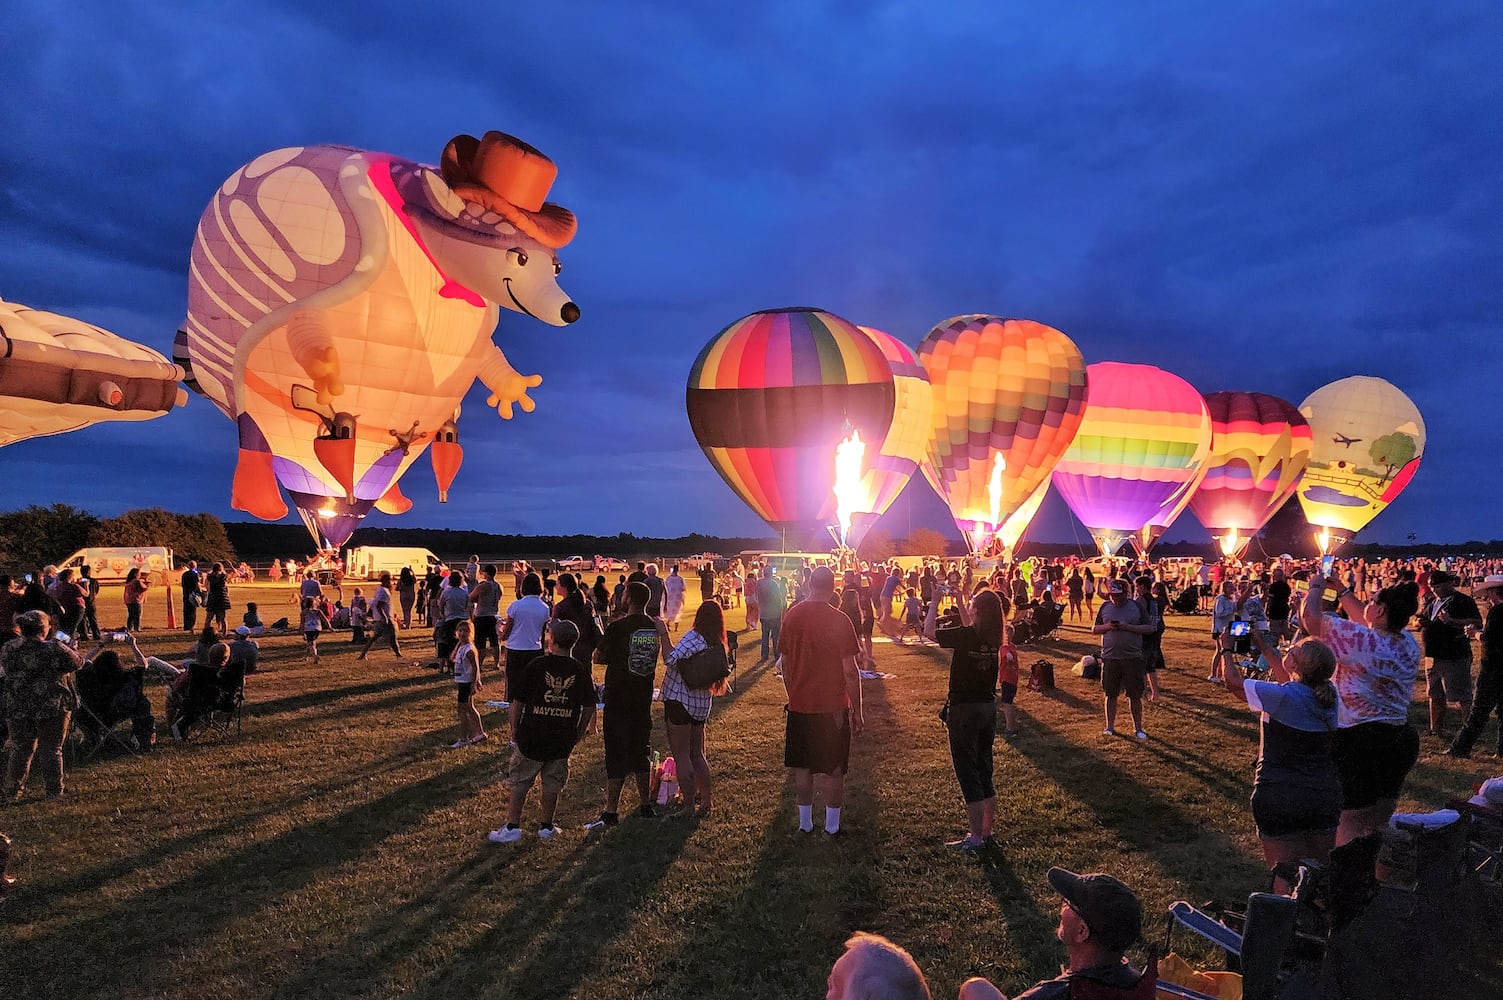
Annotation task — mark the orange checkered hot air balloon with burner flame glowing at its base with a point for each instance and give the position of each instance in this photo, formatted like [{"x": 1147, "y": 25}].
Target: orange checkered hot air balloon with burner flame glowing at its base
[{"x": 1009, "y": 396}]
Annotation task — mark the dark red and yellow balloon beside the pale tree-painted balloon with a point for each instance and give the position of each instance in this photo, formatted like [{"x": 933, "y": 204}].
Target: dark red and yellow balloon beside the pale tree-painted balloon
[{"x": 1260, "y": 446}]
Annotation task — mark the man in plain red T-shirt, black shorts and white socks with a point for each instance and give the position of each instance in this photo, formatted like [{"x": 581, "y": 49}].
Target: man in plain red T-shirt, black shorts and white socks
[{"x": 818, "y": 650}]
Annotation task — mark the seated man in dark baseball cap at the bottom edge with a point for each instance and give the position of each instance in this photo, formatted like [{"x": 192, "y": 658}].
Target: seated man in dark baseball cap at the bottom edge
[{"x": 1099, "y": 920}]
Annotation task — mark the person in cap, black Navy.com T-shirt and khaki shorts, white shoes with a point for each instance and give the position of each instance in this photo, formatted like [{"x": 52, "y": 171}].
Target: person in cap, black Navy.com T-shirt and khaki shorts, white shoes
[{"x": 551, "y": 712}]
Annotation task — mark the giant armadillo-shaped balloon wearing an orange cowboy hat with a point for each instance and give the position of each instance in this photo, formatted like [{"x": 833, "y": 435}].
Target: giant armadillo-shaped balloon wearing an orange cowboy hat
[{"x": 340, "y": 305}]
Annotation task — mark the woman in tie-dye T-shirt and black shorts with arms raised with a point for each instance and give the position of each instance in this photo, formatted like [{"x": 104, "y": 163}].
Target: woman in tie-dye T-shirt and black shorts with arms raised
[{"x": 1377, "y": 664}]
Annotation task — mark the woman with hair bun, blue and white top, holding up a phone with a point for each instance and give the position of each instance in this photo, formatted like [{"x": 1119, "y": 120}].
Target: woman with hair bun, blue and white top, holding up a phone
[{"x": 1296, "y": 790}]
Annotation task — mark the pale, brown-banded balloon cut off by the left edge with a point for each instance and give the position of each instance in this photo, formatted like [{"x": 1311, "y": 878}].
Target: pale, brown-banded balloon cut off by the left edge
[{"x": 61, "y": 374}]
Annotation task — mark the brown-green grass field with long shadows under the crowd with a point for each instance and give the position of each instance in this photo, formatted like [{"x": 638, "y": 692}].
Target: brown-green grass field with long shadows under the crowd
[{"x": 339, "y": 849}]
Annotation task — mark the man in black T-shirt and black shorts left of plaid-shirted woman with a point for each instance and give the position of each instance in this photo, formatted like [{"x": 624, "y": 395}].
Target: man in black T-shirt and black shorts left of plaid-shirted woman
[{"x": 631, "y": 652}]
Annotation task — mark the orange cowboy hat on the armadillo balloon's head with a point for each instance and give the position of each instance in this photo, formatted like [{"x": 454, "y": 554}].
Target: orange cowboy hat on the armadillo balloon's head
[{"x": 512, "y": 178}]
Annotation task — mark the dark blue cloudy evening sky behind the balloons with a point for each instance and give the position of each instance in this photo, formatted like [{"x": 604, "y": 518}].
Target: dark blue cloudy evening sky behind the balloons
[{"x": 1256, "y": 196}]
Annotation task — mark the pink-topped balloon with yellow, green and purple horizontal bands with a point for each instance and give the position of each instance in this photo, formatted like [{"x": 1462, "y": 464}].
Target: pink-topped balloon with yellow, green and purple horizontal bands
[{"x": 1142, "y": 446}]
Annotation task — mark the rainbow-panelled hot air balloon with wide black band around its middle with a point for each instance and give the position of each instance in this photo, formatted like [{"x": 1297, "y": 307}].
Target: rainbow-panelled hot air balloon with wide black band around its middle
[{"x": 773, "y": 395}]
